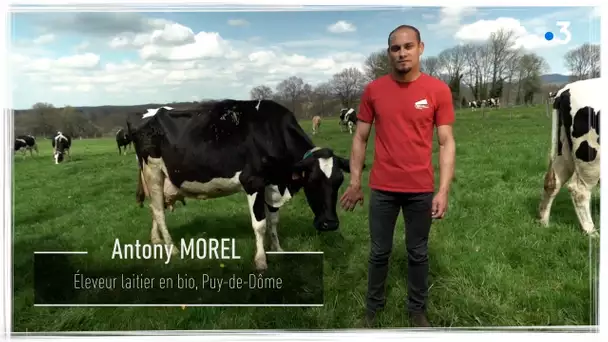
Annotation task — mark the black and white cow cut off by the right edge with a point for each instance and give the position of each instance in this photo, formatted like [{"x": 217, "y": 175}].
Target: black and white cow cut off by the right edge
[{"x": 575, "y": 149}]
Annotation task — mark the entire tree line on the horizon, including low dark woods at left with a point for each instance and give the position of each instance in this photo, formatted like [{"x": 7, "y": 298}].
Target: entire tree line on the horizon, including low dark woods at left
[{"x": 475, "y": 71}]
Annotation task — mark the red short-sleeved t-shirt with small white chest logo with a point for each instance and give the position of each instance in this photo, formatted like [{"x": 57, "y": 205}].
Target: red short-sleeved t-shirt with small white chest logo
[{"x": 405, "y": 115}]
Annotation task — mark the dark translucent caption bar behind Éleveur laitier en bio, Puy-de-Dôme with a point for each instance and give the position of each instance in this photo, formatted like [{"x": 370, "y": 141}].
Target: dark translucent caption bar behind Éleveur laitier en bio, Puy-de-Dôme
[{"x": 292, "y": 279}]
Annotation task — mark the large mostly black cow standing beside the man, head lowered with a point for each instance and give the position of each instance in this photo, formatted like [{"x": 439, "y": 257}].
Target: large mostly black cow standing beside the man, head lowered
[{"x": 221, "y": 148}]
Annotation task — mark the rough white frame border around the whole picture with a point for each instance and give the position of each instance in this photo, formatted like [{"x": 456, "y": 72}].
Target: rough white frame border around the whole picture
[{"x": 151, "y": 5}]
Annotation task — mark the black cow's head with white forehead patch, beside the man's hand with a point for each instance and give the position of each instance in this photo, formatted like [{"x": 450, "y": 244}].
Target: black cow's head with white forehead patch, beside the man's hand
[{"x": 322, "y": 173}]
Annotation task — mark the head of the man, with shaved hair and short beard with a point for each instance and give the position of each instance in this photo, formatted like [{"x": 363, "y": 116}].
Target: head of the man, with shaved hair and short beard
[{"x": 404, "y": 51}]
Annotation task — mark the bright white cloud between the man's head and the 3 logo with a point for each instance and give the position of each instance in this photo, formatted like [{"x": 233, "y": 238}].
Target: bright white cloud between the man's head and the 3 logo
[{"x": 482, "y": 29}]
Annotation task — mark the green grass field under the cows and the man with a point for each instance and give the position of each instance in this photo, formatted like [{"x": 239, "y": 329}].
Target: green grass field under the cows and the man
[{"x": 491, "y": 264}]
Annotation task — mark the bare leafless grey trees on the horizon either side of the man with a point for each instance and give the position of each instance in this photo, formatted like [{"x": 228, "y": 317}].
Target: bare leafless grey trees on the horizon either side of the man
[{"x": 475, "y": 71}]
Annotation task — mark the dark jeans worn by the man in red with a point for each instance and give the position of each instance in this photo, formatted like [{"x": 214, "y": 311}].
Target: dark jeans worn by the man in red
[{"x": 384, "y": 208}]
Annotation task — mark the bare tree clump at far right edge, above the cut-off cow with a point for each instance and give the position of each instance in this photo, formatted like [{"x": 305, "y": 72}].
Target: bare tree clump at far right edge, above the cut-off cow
[{"x": 584, "y": 61}]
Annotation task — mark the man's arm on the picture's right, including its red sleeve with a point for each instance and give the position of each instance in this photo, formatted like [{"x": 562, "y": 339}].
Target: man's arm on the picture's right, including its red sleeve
[{"x": 444, "y": 118}]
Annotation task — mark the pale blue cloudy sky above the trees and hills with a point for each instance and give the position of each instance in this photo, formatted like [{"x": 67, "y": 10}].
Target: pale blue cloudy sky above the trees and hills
[{"x": 127, "y": 58}]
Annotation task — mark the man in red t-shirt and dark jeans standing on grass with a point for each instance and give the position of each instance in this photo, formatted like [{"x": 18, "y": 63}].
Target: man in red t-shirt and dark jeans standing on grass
[{"x": 405, "y": 106}]
